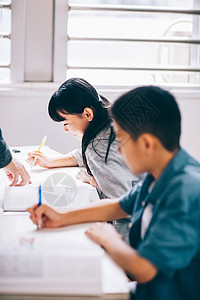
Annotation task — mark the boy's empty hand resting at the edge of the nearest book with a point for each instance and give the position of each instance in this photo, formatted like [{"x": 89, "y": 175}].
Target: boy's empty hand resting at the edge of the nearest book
[{"x": 103, "y": 234}]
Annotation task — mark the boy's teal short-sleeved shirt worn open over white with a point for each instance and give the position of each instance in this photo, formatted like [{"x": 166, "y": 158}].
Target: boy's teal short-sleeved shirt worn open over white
[{"x": 172, "y": 240}]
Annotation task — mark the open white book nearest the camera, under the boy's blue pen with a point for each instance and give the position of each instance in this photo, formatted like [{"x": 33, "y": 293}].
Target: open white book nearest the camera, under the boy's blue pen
[{"x": 58, "y": 261}]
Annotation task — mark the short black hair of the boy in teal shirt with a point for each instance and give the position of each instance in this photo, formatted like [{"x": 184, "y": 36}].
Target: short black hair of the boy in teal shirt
[{"x": 149, "y": 109}]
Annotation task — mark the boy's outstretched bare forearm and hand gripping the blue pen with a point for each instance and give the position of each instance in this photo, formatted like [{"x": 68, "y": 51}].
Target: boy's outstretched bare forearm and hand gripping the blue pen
[{"x": 106, "y": 210}]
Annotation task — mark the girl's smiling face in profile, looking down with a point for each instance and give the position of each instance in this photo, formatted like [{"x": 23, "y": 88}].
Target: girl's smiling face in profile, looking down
[{"x": 76, "y": 124}]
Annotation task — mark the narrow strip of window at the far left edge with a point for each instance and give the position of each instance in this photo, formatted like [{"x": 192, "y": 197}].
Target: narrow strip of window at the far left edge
[{"x": 5, "y": 41}]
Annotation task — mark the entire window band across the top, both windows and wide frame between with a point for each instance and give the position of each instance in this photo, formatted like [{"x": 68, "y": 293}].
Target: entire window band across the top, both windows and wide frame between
[{"x": 108, "y": 42}]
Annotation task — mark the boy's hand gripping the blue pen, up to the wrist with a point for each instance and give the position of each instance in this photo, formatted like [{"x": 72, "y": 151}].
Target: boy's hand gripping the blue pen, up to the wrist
[{"x": 45, "y": 216}]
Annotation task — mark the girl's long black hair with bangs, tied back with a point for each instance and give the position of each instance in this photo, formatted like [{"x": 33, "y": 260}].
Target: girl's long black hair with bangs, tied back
[{"x": 72, "y": 97}]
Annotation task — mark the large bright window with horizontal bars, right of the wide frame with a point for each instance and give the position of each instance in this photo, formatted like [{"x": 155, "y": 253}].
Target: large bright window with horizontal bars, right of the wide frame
[{"x": 128, "y": 42}]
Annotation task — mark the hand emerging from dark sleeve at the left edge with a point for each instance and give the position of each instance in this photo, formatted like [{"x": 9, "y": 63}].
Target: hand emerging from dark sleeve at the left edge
[{"x": 14, "y": 170}]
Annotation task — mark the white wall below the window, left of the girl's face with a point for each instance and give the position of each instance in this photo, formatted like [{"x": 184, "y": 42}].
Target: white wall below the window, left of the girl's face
[{"x": 24, "y": 120}]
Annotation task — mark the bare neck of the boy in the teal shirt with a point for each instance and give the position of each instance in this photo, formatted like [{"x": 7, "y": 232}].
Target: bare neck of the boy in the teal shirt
[{"x": 161, "y": 160}]
